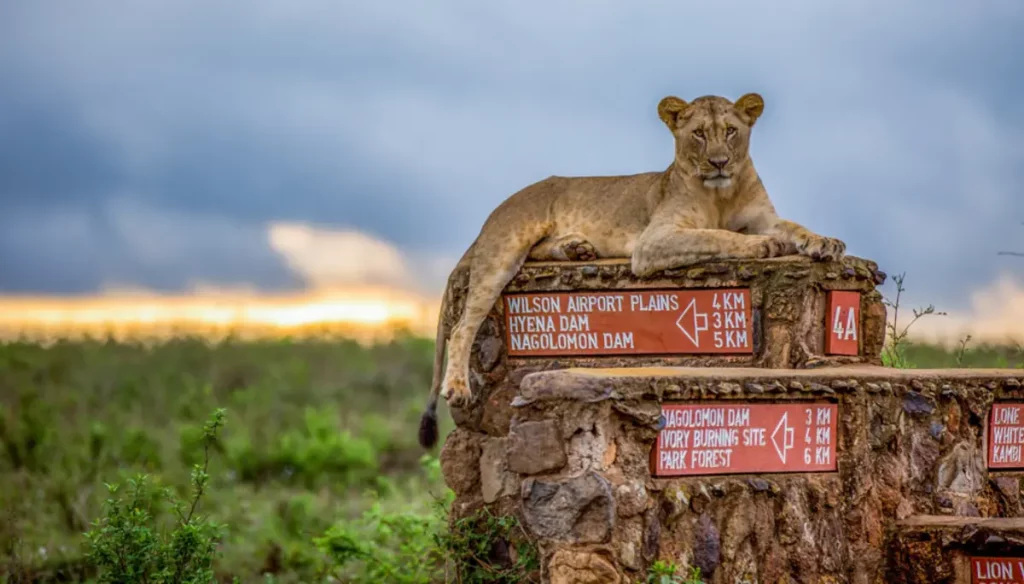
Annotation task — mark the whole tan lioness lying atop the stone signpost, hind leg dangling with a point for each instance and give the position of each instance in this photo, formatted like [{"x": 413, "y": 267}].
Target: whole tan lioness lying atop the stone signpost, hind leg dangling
[{"x": 709, "y": 204}]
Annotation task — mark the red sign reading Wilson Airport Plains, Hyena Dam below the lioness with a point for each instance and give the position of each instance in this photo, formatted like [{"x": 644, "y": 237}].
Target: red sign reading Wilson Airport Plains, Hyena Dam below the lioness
[{"x": 630, "y": 322}]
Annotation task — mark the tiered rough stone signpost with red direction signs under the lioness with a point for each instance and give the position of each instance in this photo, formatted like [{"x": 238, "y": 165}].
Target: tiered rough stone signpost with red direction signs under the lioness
[{"x": 733, "y": 418}]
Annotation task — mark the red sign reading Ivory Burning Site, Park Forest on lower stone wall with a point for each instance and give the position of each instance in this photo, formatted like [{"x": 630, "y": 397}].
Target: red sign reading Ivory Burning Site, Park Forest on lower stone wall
[{"x": 718, "y": 439}]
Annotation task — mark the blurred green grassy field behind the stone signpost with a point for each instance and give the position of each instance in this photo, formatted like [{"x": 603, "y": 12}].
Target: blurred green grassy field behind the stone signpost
[{"x": 317, "y": 456}]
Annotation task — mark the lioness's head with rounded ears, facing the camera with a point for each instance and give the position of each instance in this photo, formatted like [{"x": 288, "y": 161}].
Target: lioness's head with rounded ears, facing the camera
[{"x": 713, "y": 135}]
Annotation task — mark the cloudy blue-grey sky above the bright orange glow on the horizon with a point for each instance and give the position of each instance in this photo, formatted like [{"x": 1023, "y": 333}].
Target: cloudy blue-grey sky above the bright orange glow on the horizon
[{"x": 280, "y": 146}]
